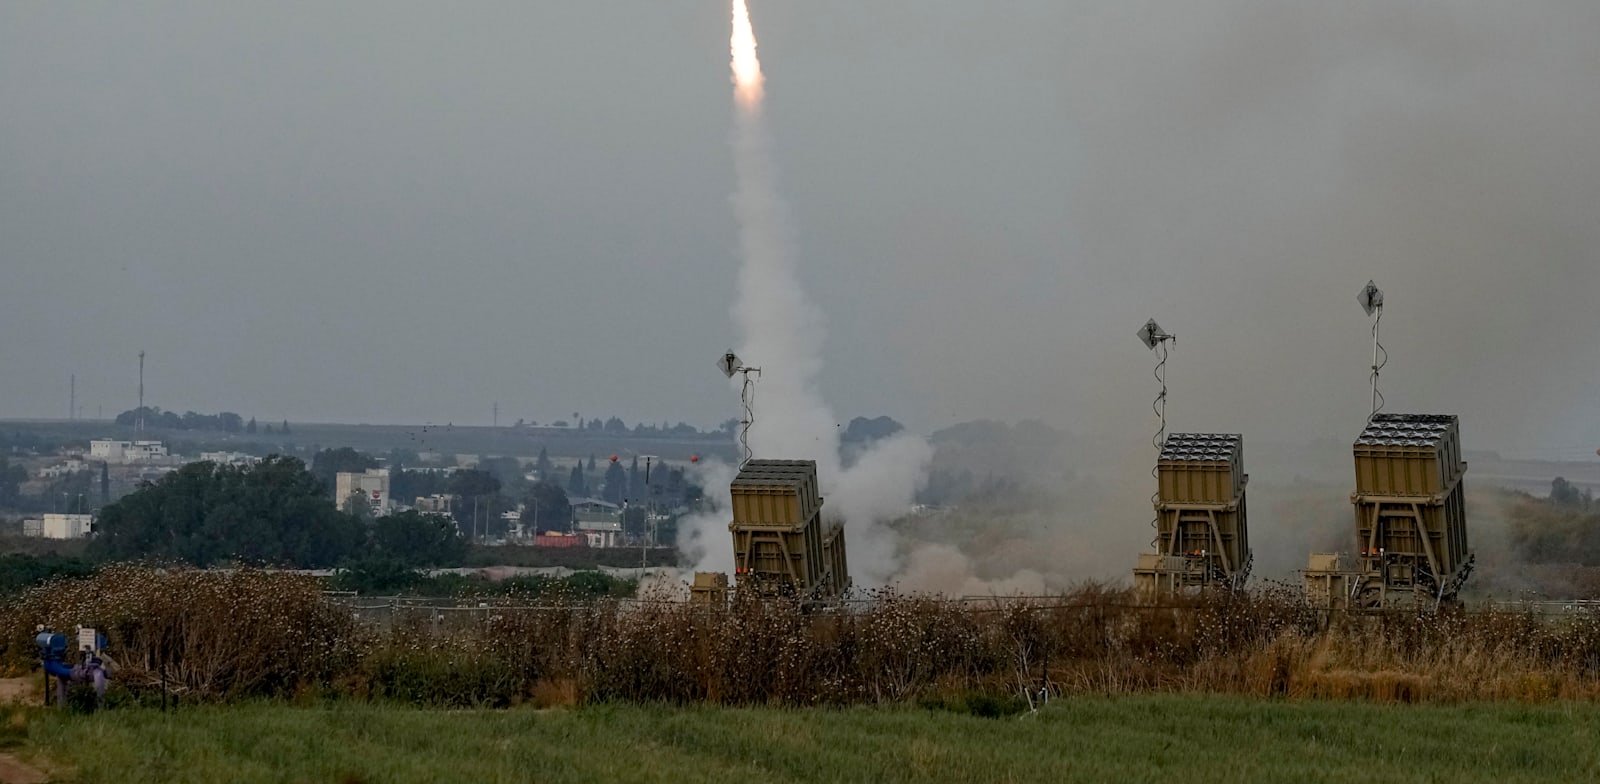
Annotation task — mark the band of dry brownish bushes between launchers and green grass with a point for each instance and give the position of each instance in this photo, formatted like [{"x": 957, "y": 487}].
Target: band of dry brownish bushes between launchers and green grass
[{"x": 230, "y": 634}]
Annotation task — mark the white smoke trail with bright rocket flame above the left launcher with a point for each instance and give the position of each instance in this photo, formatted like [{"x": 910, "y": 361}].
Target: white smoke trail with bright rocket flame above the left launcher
[{"x": 782, "y": 332}]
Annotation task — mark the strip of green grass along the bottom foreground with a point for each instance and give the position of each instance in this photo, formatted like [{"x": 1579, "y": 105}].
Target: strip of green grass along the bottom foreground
[{"x": 1177, "y": 738}]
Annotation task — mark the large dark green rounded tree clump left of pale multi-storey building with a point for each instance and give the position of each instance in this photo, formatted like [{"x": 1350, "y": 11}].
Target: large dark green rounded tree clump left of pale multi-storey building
[{"x": 271, "y": 513}]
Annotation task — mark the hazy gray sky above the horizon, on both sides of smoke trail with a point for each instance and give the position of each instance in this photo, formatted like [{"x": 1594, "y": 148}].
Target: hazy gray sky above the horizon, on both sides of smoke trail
[{"x": 404, "y": 212}]
